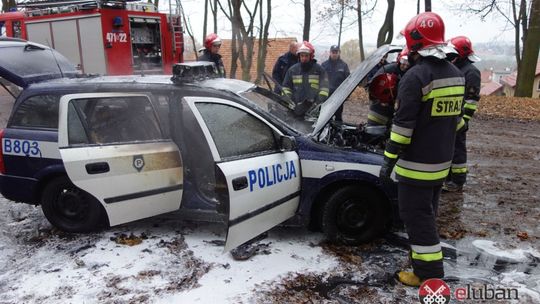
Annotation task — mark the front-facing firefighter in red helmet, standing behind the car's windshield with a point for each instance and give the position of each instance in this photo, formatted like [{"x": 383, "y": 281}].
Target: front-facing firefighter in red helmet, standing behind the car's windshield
[{"x": 305, "y": 82}]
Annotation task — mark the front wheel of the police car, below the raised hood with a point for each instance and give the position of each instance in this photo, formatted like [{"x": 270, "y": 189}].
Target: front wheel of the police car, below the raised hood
[{"x": 354, "y": 215}]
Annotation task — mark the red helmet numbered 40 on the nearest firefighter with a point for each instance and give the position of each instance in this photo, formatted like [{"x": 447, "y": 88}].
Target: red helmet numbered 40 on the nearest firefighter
[{"x": 424, "y": 30}]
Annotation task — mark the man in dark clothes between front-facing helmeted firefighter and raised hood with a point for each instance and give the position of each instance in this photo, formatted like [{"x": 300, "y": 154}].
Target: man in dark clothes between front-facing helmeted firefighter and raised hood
[{"x": 337, "y": 71}]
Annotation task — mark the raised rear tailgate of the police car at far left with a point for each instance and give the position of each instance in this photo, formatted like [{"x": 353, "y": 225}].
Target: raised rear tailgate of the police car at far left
[{"x": 23, "y": 62}]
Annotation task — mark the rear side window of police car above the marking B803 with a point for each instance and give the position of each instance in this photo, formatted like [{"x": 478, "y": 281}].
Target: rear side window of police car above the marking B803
[{"x": 39, "y": 111}]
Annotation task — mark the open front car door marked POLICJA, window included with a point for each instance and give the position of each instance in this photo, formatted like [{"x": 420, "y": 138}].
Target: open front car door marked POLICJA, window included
[{"x": 263, "y": 181}]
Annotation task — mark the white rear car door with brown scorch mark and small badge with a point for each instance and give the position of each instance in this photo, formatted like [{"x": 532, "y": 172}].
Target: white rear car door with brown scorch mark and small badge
[{"x": 113, "y": 147}]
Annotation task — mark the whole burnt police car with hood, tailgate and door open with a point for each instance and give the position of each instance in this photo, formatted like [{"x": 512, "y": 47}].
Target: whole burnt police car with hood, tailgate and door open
[{"x": 96, "y": 151}]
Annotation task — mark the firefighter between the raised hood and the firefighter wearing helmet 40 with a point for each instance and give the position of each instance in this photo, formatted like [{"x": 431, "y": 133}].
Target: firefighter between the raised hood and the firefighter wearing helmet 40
[{"x": 381, "y": 113}]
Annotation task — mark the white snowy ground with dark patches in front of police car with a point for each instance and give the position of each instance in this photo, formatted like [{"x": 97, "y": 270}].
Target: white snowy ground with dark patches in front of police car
[{"x": 183, "y": 262}]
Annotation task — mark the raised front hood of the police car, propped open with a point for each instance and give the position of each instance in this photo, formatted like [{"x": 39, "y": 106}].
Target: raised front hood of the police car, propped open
[{"x": 332, "y": 104}]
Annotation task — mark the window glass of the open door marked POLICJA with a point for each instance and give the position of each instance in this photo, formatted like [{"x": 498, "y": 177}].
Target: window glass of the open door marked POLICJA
[{"x": 236, "y": 132}]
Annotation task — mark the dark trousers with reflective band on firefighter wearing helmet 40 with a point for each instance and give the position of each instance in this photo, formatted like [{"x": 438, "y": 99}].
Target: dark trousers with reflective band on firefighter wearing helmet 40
[{"x": 418, "y": 207}]
